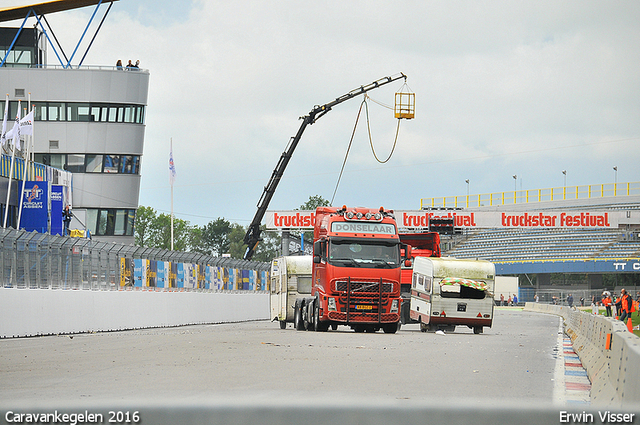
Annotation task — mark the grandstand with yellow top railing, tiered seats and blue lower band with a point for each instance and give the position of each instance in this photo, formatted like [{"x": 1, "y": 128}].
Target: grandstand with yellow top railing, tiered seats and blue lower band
[{"x": 554, "y": 261}]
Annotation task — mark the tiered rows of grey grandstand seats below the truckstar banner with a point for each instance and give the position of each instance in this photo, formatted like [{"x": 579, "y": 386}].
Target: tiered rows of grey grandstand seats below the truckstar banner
[{"x": 540, "y": 244}]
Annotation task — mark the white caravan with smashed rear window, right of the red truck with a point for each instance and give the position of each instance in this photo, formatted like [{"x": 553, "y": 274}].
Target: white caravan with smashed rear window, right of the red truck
[{"x": 446, "y": 292}]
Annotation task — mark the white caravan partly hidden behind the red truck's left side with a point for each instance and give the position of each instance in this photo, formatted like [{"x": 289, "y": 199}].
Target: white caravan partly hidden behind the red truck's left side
[{"x": 290, "y": 279}]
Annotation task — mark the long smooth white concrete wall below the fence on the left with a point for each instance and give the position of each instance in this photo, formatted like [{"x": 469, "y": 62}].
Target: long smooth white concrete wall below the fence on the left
[{"x": 30, "y": 312}]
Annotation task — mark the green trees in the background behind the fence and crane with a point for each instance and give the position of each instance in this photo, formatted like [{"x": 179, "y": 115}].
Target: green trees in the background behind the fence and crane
[{"x": 216, "y": 238}]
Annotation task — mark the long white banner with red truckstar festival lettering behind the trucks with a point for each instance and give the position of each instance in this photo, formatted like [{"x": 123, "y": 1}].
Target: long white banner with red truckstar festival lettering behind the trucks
[{"x": 484, "y": 219}]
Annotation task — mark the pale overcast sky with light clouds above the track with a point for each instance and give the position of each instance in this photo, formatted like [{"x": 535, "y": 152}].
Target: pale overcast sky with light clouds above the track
[{"x": 502, "y": 88}]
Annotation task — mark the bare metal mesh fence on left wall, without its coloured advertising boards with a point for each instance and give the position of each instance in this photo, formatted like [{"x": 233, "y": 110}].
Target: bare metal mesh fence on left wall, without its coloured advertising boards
[{"x": 43, "y": 261}]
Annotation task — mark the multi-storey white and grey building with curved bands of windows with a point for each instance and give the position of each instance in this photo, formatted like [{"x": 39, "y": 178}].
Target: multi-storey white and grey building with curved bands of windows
[{"x": 89, "y": 120}]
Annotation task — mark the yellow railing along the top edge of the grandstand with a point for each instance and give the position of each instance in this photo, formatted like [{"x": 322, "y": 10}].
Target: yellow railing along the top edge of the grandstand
[{"x": 533, "y": 195}]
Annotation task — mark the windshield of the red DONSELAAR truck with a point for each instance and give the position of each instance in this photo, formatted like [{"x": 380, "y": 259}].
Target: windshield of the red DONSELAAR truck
[{"x": 352, "y": 252}]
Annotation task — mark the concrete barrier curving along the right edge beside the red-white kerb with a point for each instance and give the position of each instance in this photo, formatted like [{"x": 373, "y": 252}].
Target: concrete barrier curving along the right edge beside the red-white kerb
[{"x": 607, "y": 350}]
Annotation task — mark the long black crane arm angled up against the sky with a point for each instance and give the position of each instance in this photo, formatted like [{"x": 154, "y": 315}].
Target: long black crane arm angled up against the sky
[{"x": 252, "y": 237}]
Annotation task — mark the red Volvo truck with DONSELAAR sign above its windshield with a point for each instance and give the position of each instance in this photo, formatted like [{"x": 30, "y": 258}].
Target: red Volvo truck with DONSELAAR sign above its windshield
[{"x": 356, "y": 272}]
